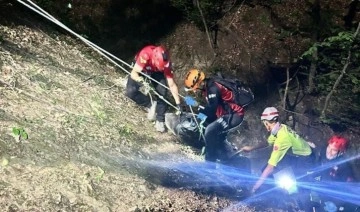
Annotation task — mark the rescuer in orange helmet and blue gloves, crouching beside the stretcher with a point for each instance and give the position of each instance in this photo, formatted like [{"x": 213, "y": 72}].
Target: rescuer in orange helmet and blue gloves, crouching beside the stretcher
[{"x": 220, "y": 113}]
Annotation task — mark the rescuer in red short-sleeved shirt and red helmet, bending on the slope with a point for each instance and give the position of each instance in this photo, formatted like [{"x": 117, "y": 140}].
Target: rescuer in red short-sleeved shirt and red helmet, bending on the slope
[{"x": 155, "y": 62}]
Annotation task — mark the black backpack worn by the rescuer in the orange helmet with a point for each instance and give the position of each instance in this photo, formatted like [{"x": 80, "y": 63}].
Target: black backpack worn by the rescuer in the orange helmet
[{"x": 242, "y": 93}]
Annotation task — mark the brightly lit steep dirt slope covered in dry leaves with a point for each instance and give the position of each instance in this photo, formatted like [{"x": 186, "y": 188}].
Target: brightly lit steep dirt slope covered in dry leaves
[{"x": 82, "y": 146}]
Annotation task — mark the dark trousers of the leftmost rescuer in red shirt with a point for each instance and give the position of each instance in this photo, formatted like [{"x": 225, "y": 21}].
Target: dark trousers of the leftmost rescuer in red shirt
[{"x": 132, "y": 91}]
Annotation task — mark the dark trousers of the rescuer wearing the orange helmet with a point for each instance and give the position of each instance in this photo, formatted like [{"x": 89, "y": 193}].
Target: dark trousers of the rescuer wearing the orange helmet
[{"x": 216, "y": 145}]
